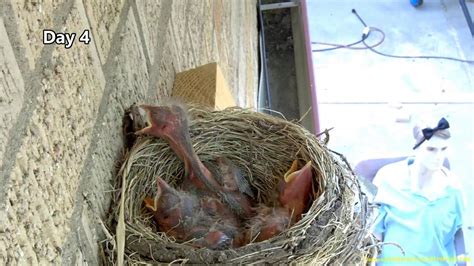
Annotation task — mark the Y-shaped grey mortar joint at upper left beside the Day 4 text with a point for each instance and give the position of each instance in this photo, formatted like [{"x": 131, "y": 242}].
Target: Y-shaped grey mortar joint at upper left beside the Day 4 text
[{"x": 32, "y": 87}]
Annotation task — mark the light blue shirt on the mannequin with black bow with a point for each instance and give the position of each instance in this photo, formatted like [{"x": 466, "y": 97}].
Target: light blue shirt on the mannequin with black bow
[{"x": 423, "y": 226}]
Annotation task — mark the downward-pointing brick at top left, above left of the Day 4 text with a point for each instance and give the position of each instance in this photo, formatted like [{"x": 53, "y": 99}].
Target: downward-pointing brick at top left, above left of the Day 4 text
[{"x": 32, "y": 18}]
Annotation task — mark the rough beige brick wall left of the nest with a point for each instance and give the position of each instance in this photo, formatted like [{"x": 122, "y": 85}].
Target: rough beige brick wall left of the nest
[{"x": 61, "y": 109}]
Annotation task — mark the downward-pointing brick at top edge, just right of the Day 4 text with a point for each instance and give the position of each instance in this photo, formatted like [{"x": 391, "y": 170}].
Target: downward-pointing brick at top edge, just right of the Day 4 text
[{"x": 104, "y": 17}]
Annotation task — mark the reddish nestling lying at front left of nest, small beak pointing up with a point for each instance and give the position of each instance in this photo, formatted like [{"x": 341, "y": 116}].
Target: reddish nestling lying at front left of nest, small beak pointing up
[{"x": 205, "y": 222}]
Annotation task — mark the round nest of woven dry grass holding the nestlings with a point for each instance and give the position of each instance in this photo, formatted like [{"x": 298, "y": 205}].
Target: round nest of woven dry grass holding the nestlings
[{"x": 333, "y": 230}]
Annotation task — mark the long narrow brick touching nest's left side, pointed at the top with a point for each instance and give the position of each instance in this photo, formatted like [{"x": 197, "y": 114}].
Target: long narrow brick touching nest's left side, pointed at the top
[{"x": 127, "y": 84}]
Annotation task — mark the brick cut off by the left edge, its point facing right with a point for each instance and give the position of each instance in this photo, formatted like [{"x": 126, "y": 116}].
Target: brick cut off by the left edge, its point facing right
[{"x": 11, "y": 89}]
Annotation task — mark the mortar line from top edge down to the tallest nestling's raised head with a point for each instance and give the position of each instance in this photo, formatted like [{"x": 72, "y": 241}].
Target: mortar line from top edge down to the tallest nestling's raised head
[{"x": 165, "y": 16}]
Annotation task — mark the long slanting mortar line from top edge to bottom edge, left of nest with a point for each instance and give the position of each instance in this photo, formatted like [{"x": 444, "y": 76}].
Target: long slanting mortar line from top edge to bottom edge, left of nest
[{"x": 109, "y": 70}]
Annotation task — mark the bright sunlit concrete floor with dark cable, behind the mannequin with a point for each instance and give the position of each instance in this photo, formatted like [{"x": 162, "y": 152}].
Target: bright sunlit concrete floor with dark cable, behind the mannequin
[{"x": 373, "y": 101}]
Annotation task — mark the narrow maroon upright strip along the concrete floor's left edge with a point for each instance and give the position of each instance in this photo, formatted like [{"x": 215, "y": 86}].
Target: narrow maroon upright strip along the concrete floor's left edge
[{"x": 310, "y": 69}]
